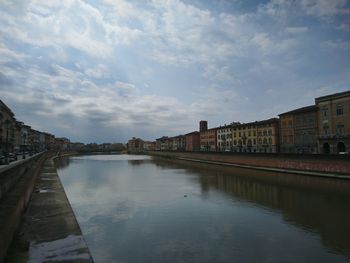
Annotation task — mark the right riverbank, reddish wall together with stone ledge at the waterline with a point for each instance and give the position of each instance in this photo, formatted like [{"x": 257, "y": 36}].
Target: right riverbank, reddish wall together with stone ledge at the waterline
[{"x": 324, "y": 166}]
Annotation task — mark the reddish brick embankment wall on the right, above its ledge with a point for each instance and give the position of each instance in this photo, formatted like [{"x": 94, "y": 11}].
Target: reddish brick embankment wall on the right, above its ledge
[{"x": 339, "y": 164}]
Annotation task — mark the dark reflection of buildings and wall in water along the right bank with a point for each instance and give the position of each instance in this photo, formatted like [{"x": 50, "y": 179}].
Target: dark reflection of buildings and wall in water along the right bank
[{"x": 317, "y": 204}]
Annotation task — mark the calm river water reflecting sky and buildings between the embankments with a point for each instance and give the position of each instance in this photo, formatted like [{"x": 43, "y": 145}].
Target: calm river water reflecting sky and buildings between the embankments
[{"x": 134, "y": 208}]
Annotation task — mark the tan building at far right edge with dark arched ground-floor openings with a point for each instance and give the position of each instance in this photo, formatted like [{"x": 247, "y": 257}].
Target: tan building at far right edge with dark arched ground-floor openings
[{"x": 334, "y": 123}]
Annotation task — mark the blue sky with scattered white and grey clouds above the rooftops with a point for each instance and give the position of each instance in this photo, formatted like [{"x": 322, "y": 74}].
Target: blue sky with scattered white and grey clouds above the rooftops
[{"x": 108, "y": 70}]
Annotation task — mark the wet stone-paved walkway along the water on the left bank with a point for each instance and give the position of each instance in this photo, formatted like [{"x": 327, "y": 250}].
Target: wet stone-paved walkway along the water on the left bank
[{"x": 49, "y": 232}]
